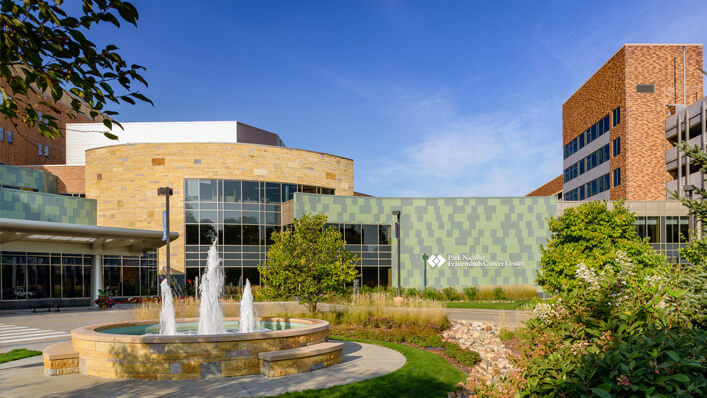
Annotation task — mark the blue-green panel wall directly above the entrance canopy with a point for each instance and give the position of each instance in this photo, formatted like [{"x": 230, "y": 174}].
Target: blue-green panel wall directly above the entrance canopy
[{"x": 40, "y": 206}]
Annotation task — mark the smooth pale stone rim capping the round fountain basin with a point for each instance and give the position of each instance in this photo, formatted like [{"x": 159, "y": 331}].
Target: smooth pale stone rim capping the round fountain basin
[{"x": 92, "y": 333}]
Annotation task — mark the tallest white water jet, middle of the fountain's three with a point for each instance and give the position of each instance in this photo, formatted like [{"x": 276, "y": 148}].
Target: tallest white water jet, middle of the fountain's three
[{"x": 211, "y": 286}]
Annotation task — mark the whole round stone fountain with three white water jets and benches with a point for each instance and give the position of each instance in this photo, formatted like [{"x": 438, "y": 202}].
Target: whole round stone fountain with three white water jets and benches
[{"x": 210, "y": 346}]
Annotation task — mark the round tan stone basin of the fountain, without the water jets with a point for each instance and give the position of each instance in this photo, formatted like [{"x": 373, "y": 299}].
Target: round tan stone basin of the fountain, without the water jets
[{"x": 179, "y": 357}]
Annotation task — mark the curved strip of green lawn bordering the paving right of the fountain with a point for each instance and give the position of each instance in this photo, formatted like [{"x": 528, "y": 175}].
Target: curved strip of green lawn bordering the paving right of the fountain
[{"x": 423, "y": 375}]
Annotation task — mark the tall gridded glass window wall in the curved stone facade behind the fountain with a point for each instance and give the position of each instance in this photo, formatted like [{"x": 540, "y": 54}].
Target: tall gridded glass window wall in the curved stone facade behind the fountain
[{"x": 241, "y": 217}]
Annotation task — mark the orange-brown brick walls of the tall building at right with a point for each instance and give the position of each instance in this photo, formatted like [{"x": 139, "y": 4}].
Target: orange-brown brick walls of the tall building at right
[{"x": 641, "y": 131}]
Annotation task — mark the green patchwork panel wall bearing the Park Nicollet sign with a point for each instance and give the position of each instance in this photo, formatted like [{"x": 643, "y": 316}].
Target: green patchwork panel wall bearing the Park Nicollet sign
[{"x": 499, "y": 229}]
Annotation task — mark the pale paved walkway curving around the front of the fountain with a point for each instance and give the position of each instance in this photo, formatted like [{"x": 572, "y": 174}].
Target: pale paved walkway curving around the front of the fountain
[{"x": 24, "y": 379}]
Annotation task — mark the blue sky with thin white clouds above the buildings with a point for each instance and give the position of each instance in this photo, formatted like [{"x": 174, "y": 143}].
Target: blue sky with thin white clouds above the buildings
[{"x": 430, "y": 98}]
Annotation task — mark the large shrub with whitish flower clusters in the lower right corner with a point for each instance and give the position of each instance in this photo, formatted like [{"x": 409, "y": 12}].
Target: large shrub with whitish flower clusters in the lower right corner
[{"x": 623, "y": 331}]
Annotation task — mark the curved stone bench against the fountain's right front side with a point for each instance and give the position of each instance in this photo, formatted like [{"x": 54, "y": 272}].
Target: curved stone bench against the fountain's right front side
[{"x": 299, "y": 360}]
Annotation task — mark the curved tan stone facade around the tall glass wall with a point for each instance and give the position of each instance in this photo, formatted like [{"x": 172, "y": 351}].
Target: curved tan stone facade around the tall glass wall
[{"x": 124, "y": 179}]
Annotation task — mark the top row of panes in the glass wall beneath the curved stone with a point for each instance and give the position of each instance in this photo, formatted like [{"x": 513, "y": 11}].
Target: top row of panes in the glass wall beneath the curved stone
[{"x": 237, "y": 191}]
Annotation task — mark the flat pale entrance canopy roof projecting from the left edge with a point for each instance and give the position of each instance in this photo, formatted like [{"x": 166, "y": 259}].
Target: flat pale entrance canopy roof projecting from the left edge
[{"x": 92, "y": 237}]
